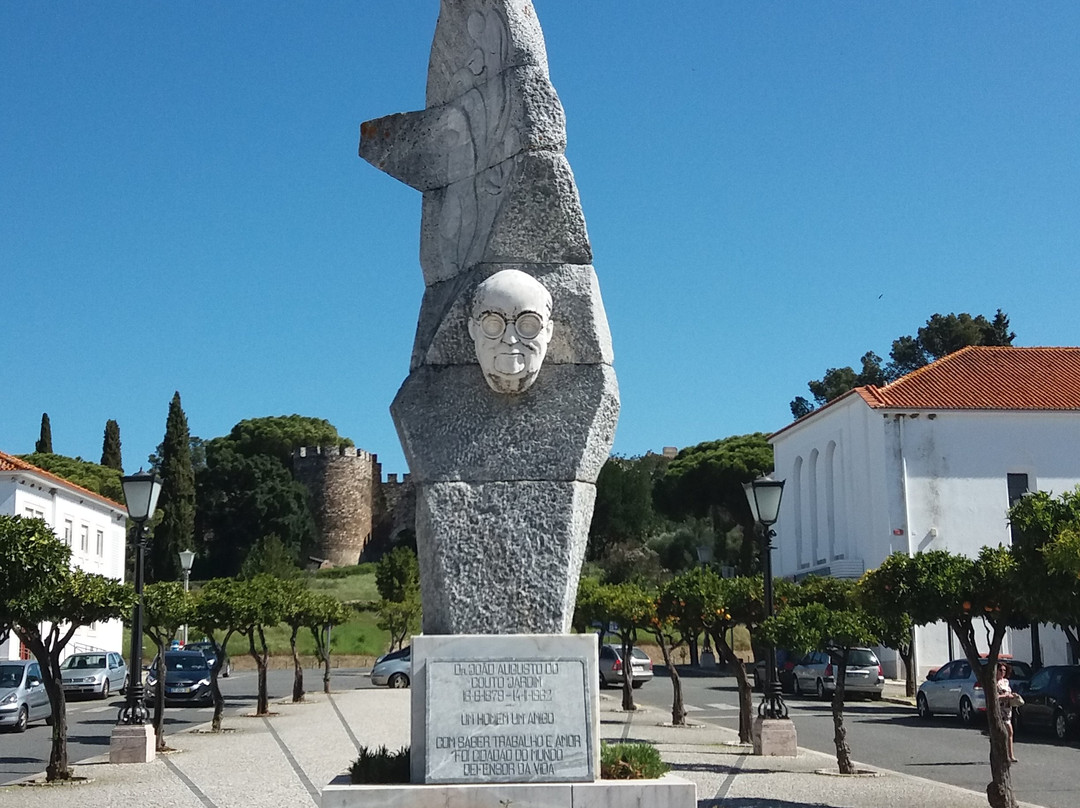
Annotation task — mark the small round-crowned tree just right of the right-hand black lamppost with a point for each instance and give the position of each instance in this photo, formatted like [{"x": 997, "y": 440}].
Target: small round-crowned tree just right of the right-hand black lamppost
[{"x": 827, "y": 614}]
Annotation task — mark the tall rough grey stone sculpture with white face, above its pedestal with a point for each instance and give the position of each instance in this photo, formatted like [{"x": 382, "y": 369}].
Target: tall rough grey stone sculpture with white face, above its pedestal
[{"x": 504, "y": 453}]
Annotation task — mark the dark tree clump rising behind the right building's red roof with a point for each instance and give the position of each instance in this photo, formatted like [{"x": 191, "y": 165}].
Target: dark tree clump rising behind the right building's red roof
[{"x": 942, "y": 335}]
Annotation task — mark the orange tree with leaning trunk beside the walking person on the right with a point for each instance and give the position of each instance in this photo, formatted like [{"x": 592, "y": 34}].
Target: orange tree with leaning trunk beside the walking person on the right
[{"x": 974, "y": 597}]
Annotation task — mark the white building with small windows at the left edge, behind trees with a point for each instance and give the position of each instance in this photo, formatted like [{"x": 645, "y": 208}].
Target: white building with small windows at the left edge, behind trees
[{"x": 92, "y": 526}]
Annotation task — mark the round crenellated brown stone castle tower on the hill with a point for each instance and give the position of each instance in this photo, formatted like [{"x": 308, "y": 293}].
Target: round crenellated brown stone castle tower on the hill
[{"x": 344, "y": 484}]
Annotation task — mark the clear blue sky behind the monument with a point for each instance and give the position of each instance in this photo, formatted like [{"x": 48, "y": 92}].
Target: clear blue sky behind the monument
[{"x": 772, "y": 190}]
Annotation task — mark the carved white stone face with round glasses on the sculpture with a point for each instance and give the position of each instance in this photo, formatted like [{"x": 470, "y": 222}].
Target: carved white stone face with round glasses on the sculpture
[{"x": 511, "y": 328}]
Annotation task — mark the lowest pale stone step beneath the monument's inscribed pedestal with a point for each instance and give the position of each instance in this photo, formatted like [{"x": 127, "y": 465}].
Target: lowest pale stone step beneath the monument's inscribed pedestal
[{"x": 668, "y": 792}]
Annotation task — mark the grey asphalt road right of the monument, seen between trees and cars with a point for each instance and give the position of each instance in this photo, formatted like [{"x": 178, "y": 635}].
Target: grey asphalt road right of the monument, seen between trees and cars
[{"x": 893, "y": 737}]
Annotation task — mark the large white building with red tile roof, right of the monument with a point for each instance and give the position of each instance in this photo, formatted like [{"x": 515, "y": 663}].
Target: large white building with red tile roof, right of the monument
[{"x": 931, "y": 462}]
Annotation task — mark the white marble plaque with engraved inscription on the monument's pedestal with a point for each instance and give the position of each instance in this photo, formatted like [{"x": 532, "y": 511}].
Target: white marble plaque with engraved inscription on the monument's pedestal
[{"x": 508, "y": 721}]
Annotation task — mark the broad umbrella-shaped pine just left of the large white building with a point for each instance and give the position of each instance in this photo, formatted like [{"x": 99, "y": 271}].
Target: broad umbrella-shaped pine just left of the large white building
[{"x": 707, "y": 481}]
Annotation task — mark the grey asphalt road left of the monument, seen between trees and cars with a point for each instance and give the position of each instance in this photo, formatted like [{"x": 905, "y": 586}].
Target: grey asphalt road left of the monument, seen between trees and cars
[{"x": 91, "y": 722}]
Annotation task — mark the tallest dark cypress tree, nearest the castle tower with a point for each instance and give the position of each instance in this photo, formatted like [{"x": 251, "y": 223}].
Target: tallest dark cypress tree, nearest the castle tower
[{"x": 178, "y": 502}]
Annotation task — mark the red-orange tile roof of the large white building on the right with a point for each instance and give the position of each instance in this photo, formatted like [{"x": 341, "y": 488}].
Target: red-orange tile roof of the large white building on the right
[{"x": 988, "y": 379}]
